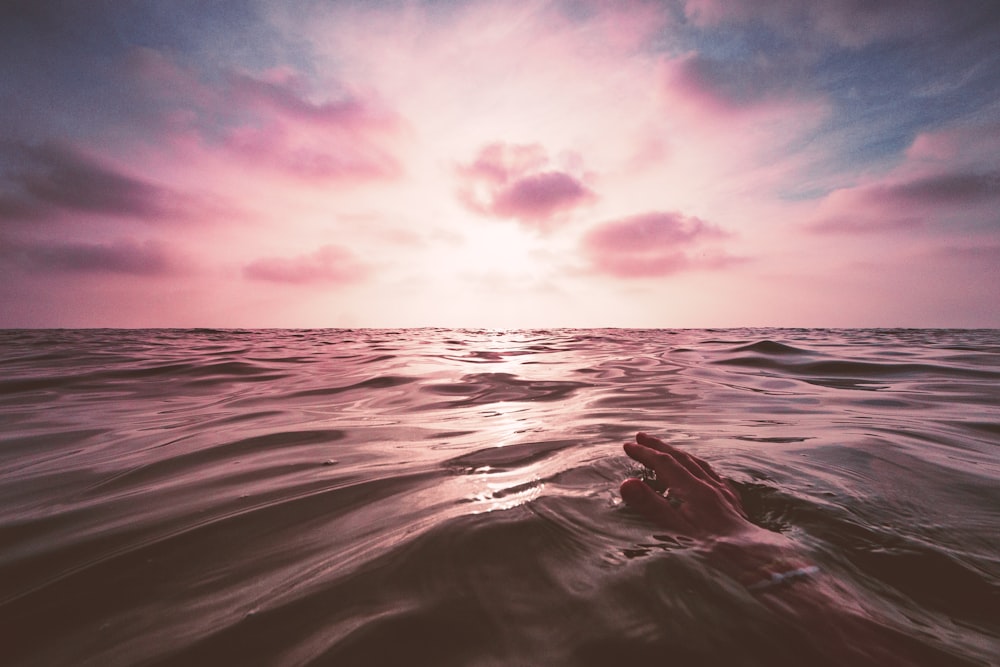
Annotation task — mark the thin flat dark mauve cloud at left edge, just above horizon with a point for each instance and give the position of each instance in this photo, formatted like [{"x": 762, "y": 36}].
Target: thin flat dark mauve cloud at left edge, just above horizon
[{"x": 127, "y": 257}]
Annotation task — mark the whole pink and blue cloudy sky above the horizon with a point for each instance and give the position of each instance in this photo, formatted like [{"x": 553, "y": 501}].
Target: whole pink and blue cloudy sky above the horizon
[{"x": 540, "y": 163}]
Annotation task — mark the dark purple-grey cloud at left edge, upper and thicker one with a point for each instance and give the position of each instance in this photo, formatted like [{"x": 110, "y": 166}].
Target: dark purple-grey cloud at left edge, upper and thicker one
[{"x": 55, "y": 178}]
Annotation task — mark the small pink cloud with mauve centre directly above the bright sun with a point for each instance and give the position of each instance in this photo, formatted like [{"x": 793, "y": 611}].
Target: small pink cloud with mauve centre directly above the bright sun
[{"x": 516, "y": 181}]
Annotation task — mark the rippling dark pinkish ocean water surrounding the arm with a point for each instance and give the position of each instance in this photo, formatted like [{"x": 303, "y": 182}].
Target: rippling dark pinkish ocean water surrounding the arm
[{"x": 450, "y": 497}]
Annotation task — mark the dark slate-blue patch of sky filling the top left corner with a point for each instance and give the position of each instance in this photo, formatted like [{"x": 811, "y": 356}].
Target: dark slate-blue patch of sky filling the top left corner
[{"x": 61, "y": 64}]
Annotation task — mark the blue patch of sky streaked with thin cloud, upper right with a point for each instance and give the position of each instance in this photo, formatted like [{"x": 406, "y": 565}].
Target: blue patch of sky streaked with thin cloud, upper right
[{"x": 882, "y": 95}]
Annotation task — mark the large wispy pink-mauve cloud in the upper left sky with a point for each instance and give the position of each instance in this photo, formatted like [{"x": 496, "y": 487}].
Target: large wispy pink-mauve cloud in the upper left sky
[{"x": 270, "y": 120}]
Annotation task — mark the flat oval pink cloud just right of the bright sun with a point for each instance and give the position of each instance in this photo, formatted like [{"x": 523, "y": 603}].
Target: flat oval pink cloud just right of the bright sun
[{"x": 654, "y": 244}]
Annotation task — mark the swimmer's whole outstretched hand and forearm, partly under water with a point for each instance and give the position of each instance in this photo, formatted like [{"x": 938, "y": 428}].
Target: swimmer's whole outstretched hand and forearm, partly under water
[{"x": 692, "y": 500}]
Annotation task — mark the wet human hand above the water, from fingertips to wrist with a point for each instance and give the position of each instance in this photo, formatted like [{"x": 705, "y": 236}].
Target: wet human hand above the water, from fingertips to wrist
[{"x": 697, "y": 501}]
